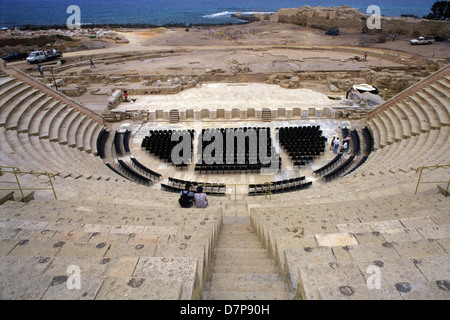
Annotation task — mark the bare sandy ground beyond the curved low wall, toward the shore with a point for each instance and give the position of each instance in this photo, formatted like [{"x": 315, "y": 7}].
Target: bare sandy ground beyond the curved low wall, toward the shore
[{"x": 257, "y": 34}]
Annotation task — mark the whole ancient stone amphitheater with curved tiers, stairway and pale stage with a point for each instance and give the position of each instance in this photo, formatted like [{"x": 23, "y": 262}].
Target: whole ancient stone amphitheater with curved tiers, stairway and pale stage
[{"x": 324, "y": 226}]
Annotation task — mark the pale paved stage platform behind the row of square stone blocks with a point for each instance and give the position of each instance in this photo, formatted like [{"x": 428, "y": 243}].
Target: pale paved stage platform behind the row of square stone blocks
[{"x": 231, "y": 96}]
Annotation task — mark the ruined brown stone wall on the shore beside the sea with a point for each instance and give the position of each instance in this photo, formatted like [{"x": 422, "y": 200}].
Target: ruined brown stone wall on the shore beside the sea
[{"x": 349, "y": 19}]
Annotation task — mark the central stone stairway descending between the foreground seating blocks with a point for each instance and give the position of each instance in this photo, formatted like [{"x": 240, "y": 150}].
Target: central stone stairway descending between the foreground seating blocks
[{"x": 242, "y": 269}]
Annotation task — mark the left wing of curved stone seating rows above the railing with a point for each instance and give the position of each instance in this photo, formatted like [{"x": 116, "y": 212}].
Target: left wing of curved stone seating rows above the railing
[{"x": 42, "y": 134}]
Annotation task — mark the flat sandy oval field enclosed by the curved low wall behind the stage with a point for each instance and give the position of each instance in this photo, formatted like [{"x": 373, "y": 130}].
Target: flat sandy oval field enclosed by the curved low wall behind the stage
[{"x": 267, "y": 61}]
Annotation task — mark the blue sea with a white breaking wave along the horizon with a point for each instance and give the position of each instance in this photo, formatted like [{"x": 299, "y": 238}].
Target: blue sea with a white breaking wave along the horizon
[{"x": 161, "y": 12}]
